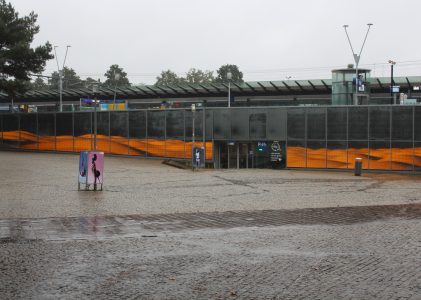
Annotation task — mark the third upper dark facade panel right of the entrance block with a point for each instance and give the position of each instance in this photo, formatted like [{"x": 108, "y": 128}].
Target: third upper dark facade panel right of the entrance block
[{"x": 336, "y": 123}]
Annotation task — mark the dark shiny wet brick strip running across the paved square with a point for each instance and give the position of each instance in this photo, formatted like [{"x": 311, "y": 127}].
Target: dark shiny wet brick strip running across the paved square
[{"x": 113, "y": 227}]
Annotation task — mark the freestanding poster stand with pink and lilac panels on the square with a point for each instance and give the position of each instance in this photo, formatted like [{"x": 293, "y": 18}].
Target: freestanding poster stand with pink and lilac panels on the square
[{"x": 91, "y": 169}]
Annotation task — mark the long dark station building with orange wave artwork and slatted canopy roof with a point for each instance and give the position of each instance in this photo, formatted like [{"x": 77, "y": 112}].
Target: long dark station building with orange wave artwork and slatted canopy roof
[{"x": 323, "y": 124}]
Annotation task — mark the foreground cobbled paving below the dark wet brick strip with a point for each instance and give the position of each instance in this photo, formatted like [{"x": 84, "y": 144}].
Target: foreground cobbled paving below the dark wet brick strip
[{"x": 378, "y": 259}]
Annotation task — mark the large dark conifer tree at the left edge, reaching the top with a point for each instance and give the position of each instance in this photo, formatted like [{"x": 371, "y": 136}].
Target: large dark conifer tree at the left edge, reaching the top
[{"x": 17, "y": 59}]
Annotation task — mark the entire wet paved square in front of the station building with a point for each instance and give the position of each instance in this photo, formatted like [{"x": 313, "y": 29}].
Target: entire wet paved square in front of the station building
[{"x": 156, "y": 232}]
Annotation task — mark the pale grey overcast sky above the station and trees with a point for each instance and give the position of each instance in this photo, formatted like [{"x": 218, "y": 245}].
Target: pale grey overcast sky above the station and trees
[{"x": 267, "y": 39}]
